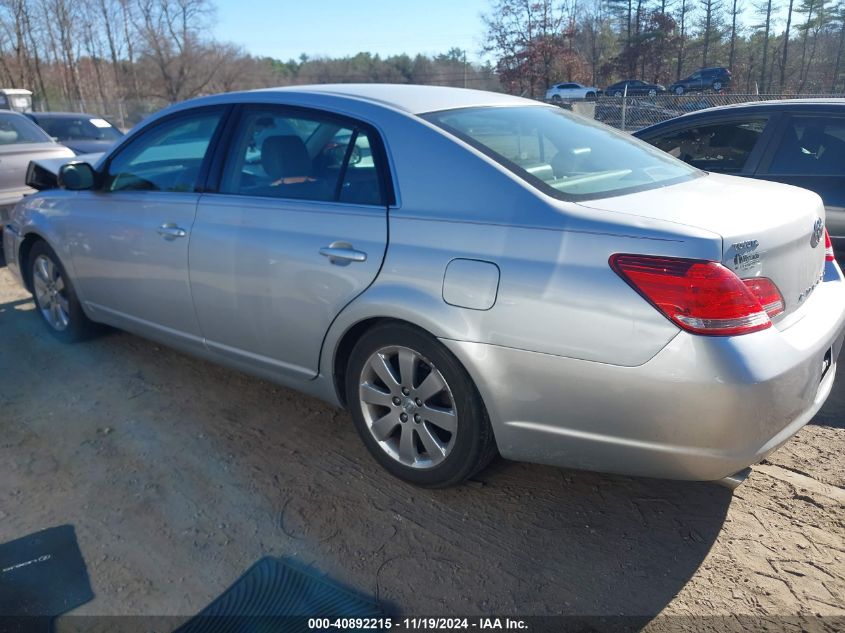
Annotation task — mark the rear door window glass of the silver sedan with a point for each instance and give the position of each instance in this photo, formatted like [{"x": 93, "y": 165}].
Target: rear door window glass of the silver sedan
[{"x": 277, "y": 153}]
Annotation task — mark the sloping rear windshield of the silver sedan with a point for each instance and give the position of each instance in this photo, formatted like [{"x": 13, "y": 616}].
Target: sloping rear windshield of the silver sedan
[{"x": 562, "y": 154}]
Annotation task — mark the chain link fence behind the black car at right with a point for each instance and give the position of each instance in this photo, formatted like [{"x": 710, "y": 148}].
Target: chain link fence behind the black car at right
[{"x": 636, "y": 112}]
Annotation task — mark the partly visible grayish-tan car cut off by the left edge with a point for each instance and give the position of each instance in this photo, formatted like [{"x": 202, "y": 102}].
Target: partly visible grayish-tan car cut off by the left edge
[{"x": 20, "y": 142}]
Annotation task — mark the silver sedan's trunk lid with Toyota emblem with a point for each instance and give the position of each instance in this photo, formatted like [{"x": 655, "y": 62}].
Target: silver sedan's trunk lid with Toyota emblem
[{"x": 768, "y": 229}]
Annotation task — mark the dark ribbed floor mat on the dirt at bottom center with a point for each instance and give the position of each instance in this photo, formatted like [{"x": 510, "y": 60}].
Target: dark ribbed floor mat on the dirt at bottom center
[{"x": 279, "y": 596}]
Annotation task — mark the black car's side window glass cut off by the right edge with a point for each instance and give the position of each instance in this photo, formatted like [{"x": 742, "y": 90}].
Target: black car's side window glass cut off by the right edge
[{"x": 811, "y": 146}]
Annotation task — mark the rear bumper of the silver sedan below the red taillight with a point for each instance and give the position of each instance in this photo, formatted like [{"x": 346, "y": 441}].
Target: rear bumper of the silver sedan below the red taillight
[{"x": 703, "y": 408}]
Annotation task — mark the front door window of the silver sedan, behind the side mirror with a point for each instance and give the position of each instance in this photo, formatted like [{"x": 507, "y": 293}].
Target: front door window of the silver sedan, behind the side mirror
[{"x": 168, "y": 157}]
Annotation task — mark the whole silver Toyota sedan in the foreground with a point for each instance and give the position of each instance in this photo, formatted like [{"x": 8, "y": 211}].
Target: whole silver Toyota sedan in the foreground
[{"x": 467, "y": 272}]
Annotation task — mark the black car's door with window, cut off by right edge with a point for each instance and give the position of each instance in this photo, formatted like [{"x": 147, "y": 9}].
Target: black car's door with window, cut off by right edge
[{"x": 810, "y": 153}]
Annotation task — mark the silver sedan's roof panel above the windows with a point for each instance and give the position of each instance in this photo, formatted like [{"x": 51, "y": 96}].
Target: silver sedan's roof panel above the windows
[{"x": 411, "y": 98}]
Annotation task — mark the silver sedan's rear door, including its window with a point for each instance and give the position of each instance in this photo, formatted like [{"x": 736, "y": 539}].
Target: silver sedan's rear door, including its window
[{"x": 296, "y": 229}]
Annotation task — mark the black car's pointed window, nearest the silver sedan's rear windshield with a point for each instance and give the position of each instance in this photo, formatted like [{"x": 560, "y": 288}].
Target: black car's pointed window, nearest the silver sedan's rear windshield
[{"x": 721, "y": 147}]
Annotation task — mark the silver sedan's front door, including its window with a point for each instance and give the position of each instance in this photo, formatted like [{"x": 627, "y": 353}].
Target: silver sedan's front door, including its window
[{"x": 131, "y": 235}]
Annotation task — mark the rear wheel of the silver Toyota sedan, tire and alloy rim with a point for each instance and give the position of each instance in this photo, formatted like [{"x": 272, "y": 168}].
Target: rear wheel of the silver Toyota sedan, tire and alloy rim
[{"x": 416, "y": 408}]
